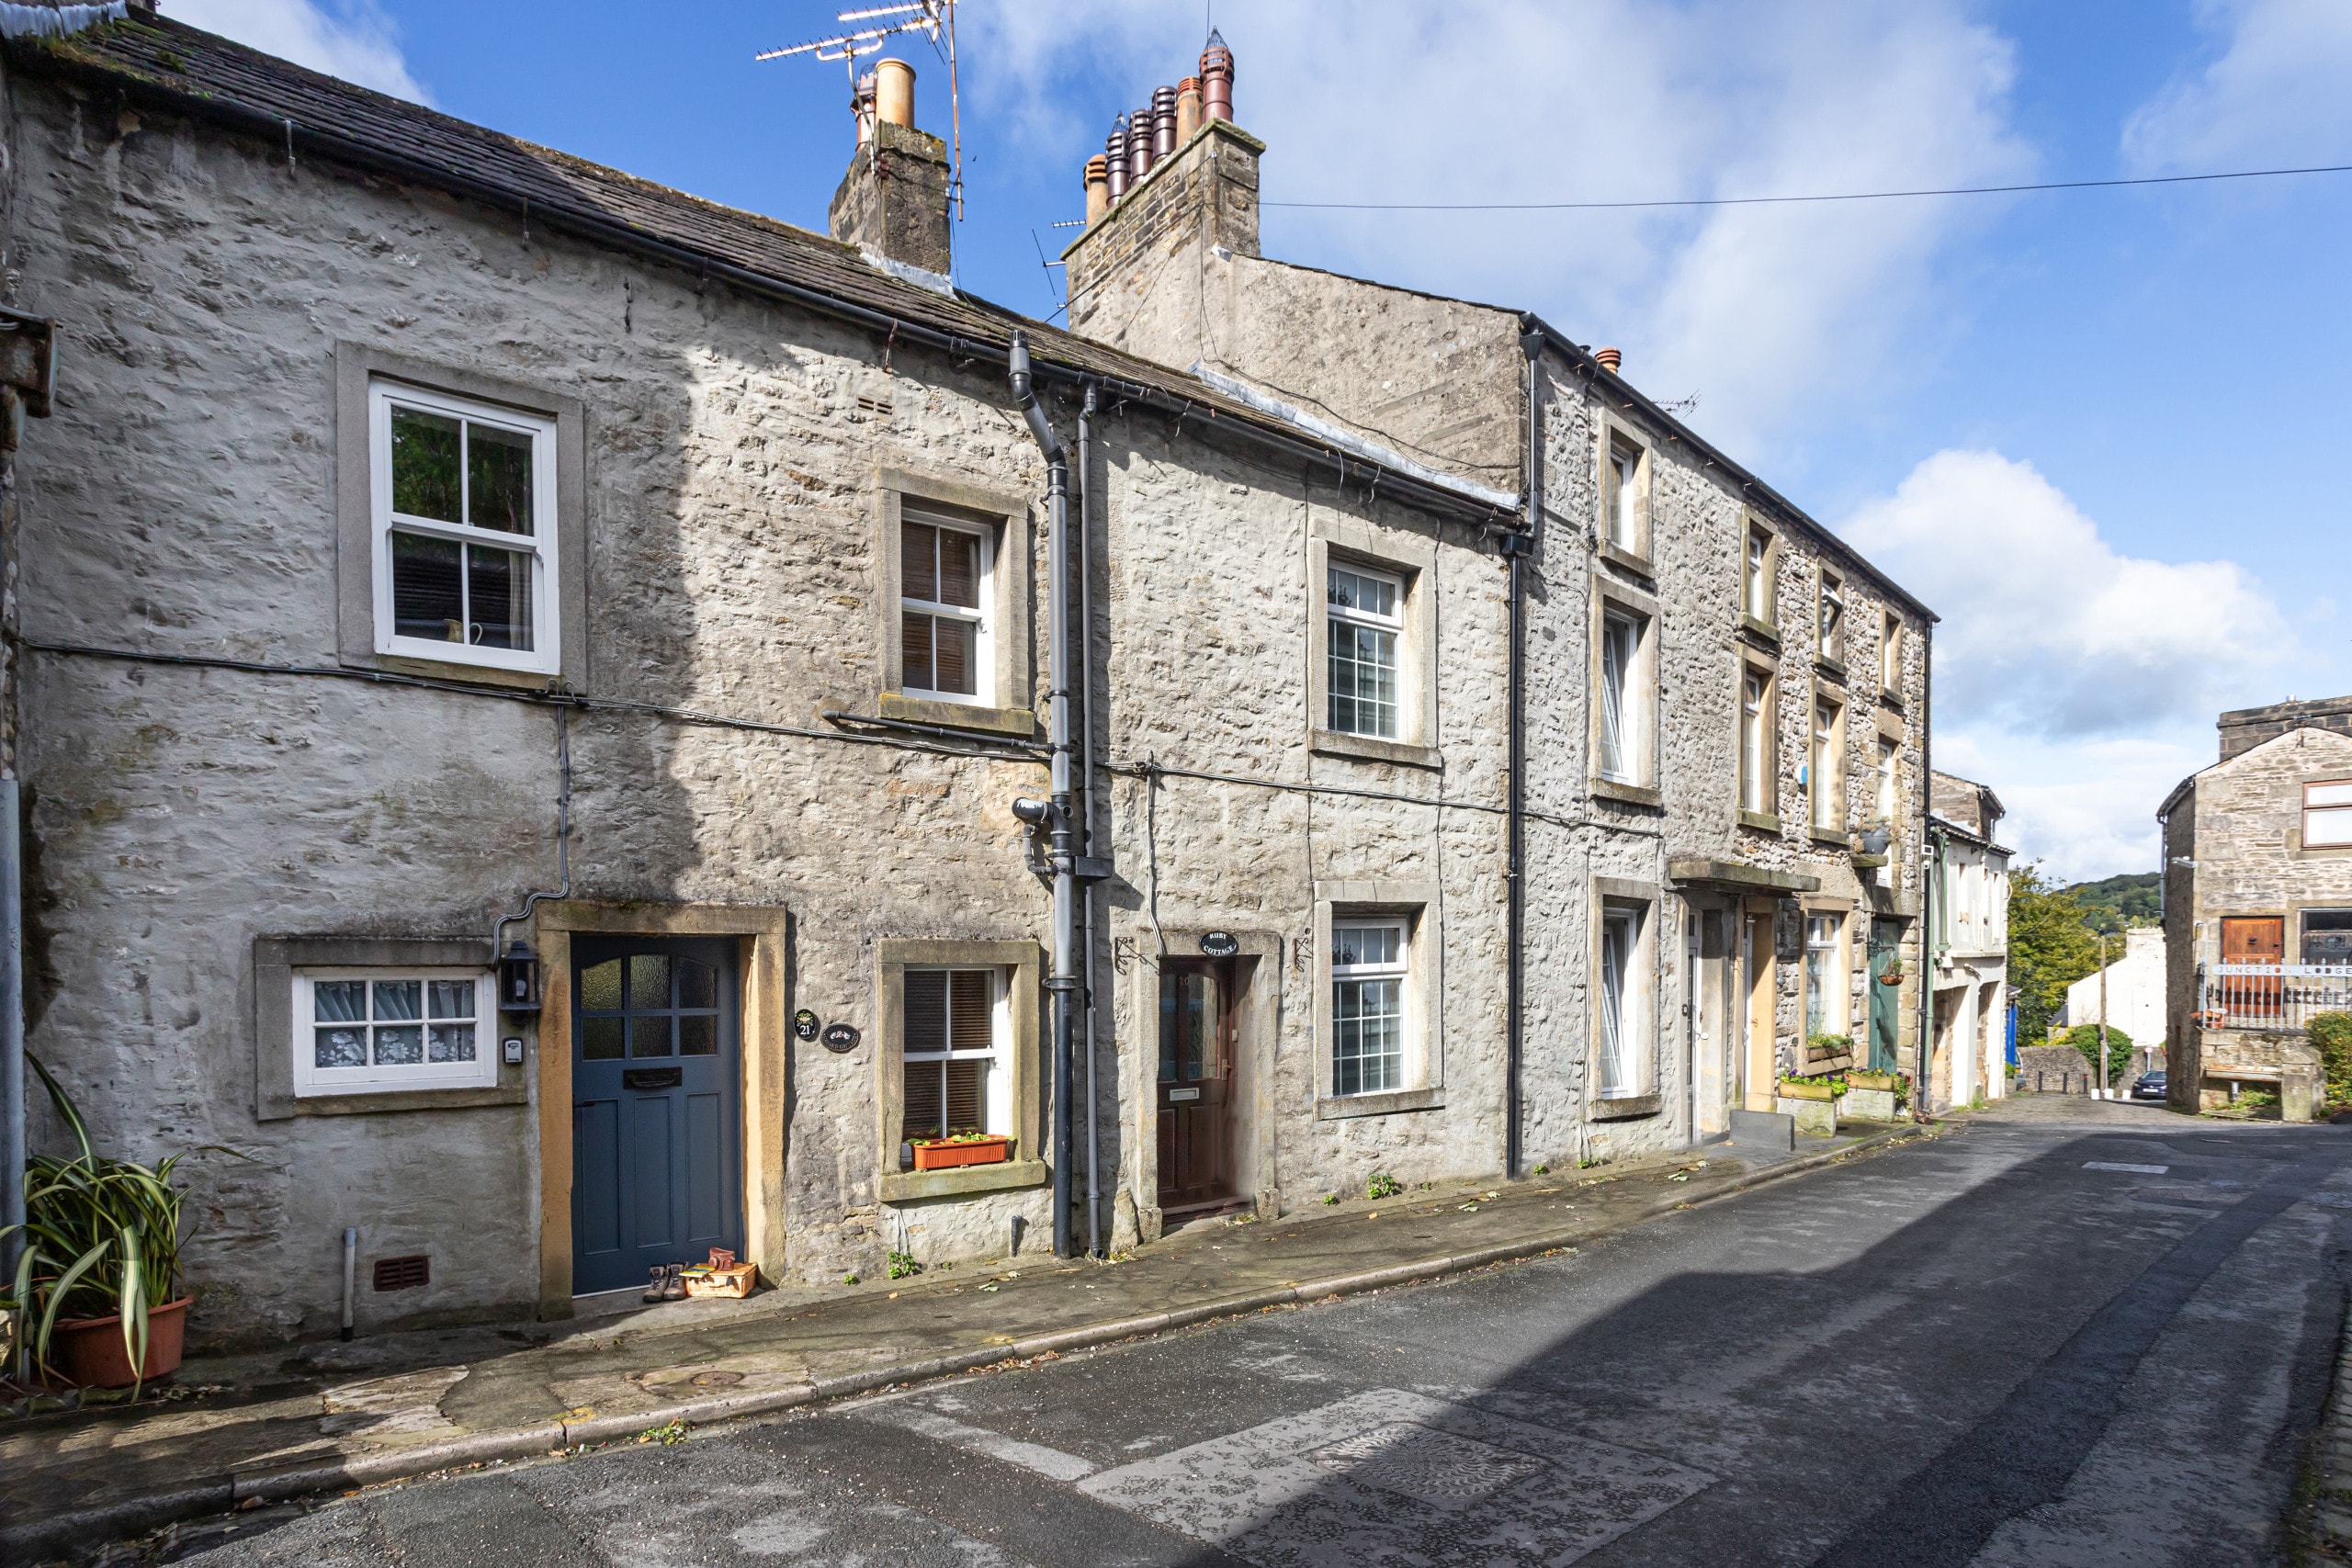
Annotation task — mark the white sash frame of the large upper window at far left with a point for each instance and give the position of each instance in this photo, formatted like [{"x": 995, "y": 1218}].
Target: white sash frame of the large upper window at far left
[{"x": 542, "y": 544}]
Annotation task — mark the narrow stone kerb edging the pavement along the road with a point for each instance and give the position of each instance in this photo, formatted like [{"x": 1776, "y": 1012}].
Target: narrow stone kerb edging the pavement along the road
[{"x": 274, "y": 1482}]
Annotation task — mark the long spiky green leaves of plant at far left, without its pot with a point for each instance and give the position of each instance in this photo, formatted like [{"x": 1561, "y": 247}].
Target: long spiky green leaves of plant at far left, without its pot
[{"x": 100, "y": 1238}]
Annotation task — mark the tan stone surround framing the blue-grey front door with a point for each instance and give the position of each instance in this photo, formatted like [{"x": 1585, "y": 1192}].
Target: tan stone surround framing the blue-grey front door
[{"x": 766, "y": 937}]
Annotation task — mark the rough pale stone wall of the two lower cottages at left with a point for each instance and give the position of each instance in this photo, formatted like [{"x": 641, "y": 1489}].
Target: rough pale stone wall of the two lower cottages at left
[{"x": 180, "y": 815}]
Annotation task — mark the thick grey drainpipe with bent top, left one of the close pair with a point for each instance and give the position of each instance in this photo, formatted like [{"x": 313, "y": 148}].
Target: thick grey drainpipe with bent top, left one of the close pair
[{"x": 1064, "y": 977}]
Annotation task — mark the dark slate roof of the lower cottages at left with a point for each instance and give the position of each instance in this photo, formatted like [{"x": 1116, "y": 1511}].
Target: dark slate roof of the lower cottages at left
[{"x": 323, "y": 119}]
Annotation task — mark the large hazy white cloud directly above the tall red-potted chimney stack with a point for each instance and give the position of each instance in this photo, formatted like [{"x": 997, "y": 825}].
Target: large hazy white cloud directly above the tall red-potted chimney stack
[{"x": 1777, "y": 316}]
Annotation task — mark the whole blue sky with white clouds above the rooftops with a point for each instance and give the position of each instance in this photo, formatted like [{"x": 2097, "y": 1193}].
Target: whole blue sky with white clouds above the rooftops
[{"x": 2094, "y": 431}]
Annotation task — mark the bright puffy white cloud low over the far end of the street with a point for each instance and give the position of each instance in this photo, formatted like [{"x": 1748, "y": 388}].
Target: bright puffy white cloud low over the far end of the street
[{"x": 2076, "y": 681}]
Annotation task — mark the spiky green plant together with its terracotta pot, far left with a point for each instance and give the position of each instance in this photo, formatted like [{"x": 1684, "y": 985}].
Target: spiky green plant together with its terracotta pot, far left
[{"x": 98, "y": 1285}]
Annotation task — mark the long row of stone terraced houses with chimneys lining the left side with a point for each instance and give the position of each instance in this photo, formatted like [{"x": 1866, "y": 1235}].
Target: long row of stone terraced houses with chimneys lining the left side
[{"x": 533, "y": 716}]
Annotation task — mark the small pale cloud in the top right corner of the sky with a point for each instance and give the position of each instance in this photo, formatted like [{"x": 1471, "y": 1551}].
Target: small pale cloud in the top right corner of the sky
[{"x": 2273, "y": 95}]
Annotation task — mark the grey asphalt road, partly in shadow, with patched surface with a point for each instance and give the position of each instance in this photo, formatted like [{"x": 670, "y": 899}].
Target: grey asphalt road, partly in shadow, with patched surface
[{"x": 2066, "y": 1336}]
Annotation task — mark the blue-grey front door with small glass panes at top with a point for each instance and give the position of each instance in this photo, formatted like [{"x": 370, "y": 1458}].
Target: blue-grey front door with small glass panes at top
[{"x": 657, "y": 1146}]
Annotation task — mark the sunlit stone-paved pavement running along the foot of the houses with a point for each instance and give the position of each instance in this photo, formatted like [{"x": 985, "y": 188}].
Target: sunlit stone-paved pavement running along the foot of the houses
[{"x": 330, "y": 1416}]
